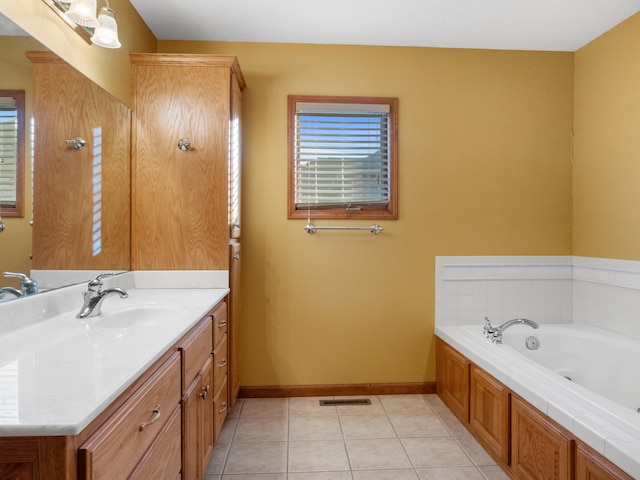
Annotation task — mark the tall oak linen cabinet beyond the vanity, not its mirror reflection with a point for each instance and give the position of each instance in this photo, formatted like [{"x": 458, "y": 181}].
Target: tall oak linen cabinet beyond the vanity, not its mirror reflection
[{"x": 186, "y": 151}]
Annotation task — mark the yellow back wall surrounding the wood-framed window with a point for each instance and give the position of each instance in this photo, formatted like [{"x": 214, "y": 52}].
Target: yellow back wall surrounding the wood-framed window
[{"x": 485, "y": 168}]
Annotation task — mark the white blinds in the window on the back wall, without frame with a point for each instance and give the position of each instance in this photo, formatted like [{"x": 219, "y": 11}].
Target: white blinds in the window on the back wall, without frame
[{"x": 341, "y": 156}]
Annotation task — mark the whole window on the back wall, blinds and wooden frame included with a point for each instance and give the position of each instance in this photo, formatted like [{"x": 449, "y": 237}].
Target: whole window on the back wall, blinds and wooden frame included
[{"x": 342, "y": 157}]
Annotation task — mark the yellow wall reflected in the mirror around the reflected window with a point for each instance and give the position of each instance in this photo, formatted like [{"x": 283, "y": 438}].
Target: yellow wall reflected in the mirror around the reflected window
[{"x": 15, "y": 241}]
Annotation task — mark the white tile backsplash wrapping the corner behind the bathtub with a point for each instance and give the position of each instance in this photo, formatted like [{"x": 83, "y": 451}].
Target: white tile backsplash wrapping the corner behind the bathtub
[{"x": 601, "y": 292}]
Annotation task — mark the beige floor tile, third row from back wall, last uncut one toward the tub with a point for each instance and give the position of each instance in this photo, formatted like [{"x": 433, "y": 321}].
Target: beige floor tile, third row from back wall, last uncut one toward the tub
[{"x": 435, "y": 452}]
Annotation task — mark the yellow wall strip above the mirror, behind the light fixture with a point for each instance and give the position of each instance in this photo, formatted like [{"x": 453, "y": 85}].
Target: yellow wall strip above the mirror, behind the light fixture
[{"x": 109, "y": 68}]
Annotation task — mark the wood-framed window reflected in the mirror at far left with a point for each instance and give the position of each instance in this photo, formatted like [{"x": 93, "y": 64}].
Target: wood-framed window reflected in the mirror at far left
[{"x": 12, "y": 152}]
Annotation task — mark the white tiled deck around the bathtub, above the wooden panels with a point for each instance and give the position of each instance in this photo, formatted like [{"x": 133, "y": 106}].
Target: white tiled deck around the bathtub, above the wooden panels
[{"x": 607, "y": 427}]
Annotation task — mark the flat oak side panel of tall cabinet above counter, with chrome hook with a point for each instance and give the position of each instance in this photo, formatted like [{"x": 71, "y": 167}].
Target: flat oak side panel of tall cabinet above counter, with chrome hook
[{"x": 180, "y": 197}]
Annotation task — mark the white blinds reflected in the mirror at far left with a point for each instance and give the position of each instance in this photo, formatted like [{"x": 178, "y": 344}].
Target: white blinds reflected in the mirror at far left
[{"x": 8, "y": 150}]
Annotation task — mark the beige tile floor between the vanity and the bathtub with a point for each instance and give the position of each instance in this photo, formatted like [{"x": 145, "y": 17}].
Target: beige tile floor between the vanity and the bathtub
[{"x": 397, "y": 437}]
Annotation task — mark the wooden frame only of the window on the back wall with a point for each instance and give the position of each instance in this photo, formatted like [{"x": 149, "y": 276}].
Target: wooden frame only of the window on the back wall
[{"x": 388, "y": 212}]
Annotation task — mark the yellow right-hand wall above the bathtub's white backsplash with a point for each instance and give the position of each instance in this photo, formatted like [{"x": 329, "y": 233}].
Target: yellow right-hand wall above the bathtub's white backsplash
[{"x": 607, "y": 138}]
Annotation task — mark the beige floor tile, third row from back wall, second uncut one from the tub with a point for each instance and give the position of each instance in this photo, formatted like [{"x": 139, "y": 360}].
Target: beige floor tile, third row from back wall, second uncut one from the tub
[{"x": 377, "y": 454}]
